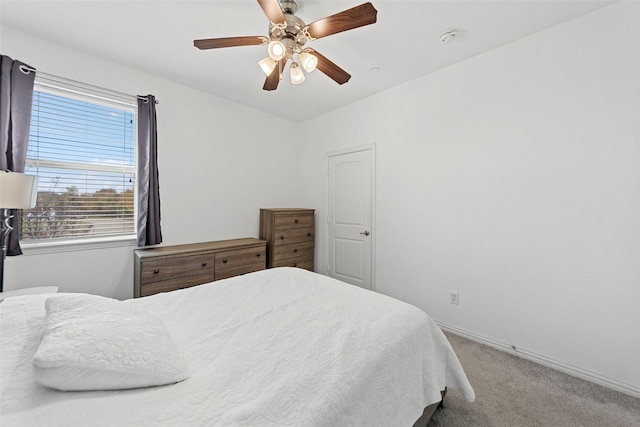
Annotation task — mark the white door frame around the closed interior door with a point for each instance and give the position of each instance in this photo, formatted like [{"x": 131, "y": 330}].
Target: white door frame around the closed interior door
[{"x": 372, "y": 149}]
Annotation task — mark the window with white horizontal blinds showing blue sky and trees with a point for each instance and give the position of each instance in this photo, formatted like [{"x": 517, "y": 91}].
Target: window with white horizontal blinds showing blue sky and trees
[{"x": 82, "y": 148}]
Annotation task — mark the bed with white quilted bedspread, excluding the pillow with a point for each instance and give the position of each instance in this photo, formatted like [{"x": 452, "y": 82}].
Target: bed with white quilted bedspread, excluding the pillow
[{"x": 280, "y": 347}]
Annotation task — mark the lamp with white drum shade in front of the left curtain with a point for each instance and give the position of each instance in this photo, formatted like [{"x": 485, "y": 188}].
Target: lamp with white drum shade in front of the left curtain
[{"x": 17, "y": 191}]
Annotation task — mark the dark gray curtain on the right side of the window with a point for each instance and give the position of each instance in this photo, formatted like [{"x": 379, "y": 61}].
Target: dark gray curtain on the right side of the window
[{"x": 149, "y": 232}]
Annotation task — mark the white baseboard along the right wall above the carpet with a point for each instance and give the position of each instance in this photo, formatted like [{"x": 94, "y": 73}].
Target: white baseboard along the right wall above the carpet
[{"x": 546, "y": 361}]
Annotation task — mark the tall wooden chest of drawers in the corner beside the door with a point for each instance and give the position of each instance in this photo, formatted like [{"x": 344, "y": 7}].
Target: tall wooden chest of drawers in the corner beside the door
[{"x": 290, "y": 235}]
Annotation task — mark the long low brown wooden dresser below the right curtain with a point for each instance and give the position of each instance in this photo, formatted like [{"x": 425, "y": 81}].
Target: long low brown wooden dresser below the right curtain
[{"x": 167, "y": 268}]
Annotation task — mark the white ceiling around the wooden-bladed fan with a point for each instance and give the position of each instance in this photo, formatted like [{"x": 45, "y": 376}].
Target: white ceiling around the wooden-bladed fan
[{"x": 157, "y": 37}]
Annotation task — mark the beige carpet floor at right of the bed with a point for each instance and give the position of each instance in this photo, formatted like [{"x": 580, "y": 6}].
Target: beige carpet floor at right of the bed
[{"x": 514, "y": 392}]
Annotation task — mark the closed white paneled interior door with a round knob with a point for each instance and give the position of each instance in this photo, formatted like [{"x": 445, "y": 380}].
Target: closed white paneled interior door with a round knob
[{"x": 350, "y": 217}]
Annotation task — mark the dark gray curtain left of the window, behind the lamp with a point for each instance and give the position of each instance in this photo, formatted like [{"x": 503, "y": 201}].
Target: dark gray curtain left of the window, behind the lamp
[{"x": 16, "y": 94}]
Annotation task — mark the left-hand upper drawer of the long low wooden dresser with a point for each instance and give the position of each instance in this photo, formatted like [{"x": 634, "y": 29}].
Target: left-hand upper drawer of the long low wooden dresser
[{"x": 162, "y": 269}]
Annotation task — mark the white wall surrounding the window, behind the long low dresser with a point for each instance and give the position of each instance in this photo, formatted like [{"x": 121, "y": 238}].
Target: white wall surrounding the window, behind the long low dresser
[{"x": 215, "y": 172}]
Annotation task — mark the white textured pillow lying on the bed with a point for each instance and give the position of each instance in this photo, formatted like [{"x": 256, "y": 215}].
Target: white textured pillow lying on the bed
[{"x": 98, "y": 343}]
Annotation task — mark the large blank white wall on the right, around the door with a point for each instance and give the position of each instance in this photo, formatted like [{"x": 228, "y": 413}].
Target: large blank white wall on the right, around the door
[{"x": 513, "y": 178}]
